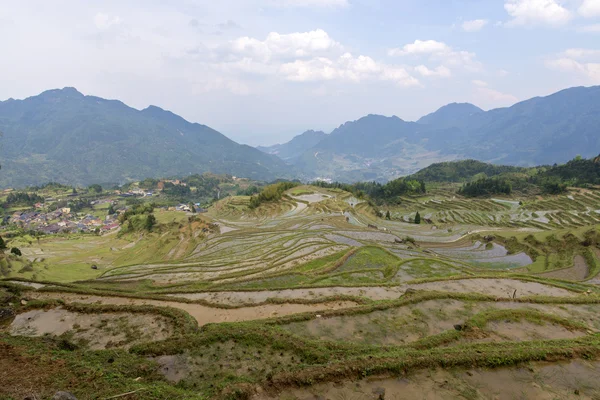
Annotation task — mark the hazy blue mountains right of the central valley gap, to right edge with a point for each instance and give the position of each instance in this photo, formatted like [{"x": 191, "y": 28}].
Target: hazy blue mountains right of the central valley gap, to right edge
[{"x": 542, "y": 130}]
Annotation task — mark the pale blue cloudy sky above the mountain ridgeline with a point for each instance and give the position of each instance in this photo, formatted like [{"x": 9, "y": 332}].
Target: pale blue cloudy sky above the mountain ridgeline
[{"x": 262, "y": 71}]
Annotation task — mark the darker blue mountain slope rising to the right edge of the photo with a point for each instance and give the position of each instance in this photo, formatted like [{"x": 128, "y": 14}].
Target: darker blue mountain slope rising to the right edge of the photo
[{"x": 541, "y": 130}]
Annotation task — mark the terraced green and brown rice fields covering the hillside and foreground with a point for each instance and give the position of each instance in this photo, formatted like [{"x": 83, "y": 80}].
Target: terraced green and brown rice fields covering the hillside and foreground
[{"x": 283, "y": 301}]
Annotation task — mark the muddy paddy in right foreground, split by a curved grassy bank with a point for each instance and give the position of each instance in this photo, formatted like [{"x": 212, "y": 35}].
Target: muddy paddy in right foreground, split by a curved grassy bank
[{"x": 406, "y": 324}]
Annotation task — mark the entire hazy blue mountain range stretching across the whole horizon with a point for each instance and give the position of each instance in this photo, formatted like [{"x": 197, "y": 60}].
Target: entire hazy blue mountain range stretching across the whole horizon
[{"x": 64, "y": 136}]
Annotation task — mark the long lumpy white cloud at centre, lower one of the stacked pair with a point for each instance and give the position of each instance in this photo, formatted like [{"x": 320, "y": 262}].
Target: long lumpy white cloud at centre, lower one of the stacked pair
[{"x": 345, "y": 68}]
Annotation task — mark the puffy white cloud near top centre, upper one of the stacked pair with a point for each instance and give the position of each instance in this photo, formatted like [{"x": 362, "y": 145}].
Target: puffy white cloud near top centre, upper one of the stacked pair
[{"x": 298, "y": 44}]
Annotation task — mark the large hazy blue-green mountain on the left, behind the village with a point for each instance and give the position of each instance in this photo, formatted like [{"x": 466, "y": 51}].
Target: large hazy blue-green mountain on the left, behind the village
[{"x": 64, "y": 136}]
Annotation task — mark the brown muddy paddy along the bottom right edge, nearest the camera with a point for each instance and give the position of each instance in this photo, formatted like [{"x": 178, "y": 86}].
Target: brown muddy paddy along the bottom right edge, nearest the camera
[{"x": 574, "y": 380}]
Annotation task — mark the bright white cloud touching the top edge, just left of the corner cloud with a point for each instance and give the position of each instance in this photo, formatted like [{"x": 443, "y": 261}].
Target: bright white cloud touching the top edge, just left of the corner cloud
[{"x": 533, "y": 12}]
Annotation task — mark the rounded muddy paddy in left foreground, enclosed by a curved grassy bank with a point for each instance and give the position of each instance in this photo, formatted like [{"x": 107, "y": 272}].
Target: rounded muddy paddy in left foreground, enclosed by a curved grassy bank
[{"x": 99, "y": 331}]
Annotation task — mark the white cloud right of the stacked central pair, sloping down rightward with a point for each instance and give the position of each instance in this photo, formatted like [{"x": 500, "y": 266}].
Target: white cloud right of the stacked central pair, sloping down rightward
[{"x": 439, "y": 51}]
